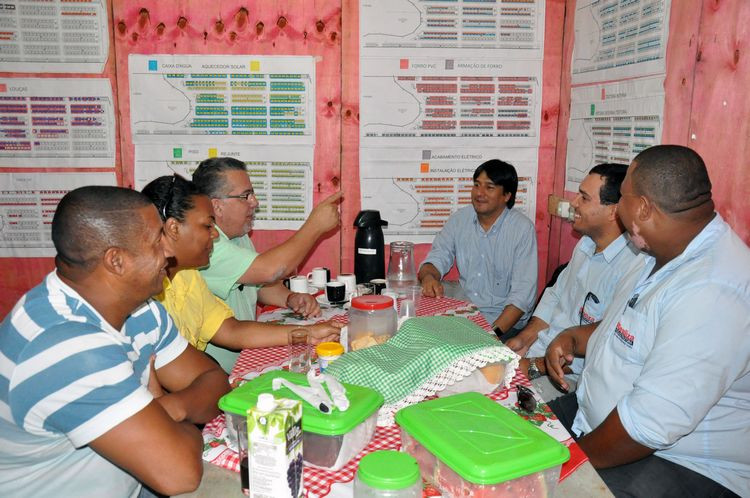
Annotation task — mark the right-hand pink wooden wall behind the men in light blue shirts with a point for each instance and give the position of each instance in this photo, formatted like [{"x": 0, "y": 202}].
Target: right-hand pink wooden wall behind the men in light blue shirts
[{"x": 706, "y": 106}]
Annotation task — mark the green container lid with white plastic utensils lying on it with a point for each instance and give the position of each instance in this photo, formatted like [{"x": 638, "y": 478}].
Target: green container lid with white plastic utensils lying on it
[{"x": 362, "y": 403}]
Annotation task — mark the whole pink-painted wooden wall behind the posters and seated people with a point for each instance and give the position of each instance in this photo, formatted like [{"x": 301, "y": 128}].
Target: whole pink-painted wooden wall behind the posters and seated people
[{"x": 705, "y": 108}]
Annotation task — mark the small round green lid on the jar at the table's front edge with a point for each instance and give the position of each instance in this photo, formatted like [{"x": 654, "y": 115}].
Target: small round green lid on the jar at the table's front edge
[{"x": 388, "y": 469}]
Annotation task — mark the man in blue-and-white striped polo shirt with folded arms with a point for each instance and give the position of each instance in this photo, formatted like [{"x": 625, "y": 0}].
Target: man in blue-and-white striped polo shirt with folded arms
[{"x": 98, "y": 391}]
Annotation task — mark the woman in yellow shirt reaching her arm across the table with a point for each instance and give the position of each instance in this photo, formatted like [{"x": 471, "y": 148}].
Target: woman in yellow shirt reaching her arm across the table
[{"x": 200, "y": 316}]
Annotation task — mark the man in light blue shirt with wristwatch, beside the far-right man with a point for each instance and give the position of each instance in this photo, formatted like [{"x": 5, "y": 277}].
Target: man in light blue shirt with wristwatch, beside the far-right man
[{"x": 585, "y": 287}]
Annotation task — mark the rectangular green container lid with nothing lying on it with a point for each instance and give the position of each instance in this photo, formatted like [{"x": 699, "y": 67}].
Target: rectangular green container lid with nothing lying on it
[{"x": 479, "y": 439}]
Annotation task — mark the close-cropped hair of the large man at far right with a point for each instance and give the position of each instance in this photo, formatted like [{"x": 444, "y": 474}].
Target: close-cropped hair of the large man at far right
[{"x": 673, "y": 177}]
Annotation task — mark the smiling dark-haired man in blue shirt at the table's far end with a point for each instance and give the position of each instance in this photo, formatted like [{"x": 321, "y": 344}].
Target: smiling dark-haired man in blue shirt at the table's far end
[{"x": 494, "y": 249}]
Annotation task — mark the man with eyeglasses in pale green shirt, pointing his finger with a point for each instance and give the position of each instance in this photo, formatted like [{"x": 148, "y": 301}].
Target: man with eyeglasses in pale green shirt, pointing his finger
[{"x": 237, "y": 273}]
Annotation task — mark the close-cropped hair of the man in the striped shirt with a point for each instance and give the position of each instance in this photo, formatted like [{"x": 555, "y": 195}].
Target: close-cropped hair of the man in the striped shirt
[{"x": 89, "y": 220}]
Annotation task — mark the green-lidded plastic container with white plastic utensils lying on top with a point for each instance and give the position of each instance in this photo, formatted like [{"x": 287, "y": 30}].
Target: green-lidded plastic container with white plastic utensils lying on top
[{"x": 329, "y": 439}]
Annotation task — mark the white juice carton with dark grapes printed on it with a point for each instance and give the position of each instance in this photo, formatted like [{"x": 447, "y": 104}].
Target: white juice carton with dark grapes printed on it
[{"x": 274, "y": 429}]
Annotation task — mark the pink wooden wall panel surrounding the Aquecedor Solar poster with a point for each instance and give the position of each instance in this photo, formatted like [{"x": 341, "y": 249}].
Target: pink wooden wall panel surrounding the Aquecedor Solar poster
[{"x": 281, "y": 27}]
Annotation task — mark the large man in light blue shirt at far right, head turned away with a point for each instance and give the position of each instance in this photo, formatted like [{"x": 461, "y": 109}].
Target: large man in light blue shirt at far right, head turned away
[{"x": 663, "y": 402}]
